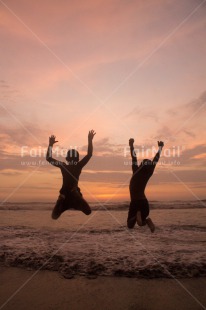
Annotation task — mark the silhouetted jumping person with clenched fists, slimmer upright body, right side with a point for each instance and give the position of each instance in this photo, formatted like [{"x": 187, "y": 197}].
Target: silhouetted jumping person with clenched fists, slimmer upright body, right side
[{"x": 139, "y": 206}]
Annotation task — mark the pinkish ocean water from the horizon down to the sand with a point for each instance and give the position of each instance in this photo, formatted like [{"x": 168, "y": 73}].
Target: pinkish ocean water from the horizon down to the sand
[{"x": 101, "y": 244}]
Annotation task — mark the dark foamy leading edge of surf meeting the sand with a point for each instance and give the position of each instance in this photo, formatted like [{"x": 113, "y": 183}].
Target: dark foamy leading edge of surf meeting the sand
[{"x": 92, "y": 268}]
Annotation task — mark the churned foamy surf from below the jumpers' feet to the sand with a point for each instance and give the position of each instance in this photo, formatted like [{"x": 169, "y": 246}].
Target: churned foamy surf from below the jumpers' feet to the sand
[{"x": 175, "y": 251}]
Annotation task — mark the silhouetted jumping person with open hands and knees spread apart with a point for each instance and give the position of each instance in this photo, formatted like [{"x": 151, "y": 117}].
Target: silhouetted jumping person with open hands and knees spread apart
[{"x": 70, "y": 195}]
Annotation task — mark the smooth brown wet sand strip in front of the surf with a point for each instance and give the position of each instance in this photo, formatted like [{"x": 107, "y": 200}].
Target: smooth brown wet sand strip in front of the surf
[{"x": 22, "y": 289}]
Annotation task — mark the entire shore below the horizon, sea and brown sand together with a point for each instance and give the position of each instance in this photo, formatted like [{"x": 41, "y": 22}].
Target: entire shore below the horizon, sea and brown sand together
[{"x": 96, "y": 262}]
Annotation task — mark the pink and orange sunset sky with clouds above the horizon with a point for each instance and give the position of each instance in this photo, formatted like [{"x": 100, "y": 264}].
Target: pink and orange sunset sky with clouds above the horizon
[{"x": 127, "y": 69}]
